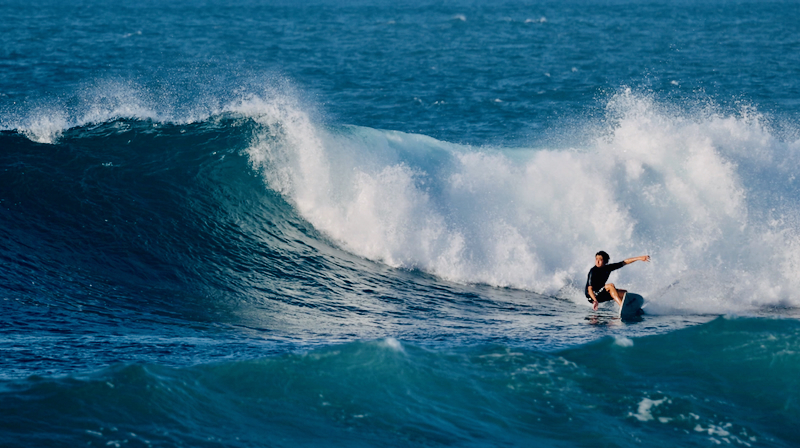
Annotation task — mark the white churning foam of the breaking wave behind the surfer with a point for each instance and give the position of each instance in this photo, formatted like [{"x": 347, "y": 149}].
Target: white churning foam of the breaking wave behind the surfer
[{"x": 688, "y": 188}]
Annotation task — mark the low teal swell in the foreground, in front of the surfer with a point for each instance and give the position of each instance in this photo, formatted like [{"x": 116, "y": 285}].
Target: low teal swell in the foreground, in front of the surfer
[{"x": 732, "y": 383}]
